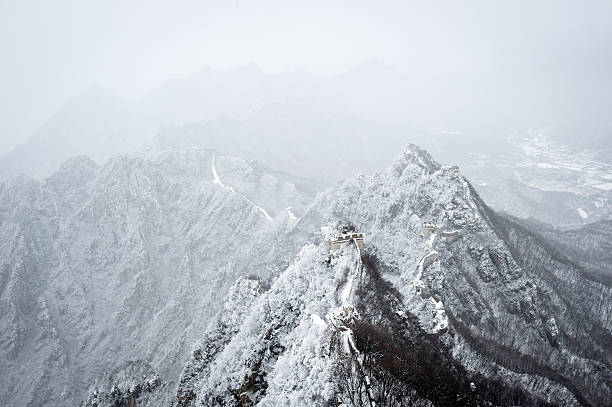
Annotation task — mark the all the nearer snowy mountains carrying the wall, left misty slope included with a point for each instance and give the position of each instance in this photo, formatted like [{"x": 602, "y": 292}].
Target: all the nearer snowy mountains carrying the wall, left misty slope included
[{"x": 193, "y": 279}]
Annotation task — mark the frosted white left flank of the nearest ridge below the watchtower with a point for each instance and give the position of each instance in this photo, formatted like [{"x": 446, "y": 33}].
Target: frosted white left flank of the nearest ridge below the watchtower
[{"x": 279, "y": 350}]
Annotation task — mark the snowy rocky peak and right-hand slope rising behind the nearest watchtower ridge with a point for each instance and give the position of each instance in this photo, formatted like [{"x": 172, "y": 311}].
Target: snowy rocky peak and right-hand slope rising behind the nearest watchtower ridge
[{"x": 498, "y": 283}]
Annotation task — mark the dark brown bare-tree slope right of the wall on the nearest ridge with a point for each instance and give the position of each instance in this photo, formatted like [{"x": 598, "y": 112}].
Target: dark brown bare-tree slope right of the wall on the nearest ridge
[{"x": 407, "y": 366}]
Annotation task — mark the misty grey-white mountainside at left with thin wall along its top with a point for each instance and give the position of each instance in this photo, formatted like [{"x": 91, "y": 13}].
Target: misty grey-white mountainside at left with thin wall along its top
[{"x": 127, "y": 262}]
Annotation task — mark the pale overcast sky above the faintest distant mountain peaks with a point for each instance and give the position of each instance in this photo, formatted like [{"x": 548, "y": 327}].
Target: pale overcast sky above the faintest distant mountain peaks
[{"x": 54, "y": 49}]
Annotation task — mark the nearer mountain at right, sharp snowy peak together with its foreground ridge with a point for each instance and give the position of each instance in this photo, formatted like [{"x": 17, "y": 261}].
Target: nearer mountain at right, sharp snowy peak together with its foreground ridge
[{"x": 486, "y": 310}]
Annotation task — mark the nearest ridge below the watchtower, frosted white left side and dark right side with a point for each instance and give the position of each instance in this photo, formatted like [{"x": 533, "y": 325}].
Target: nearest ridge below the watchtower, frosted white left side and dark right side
[{"x": 292, "y": 356}]
